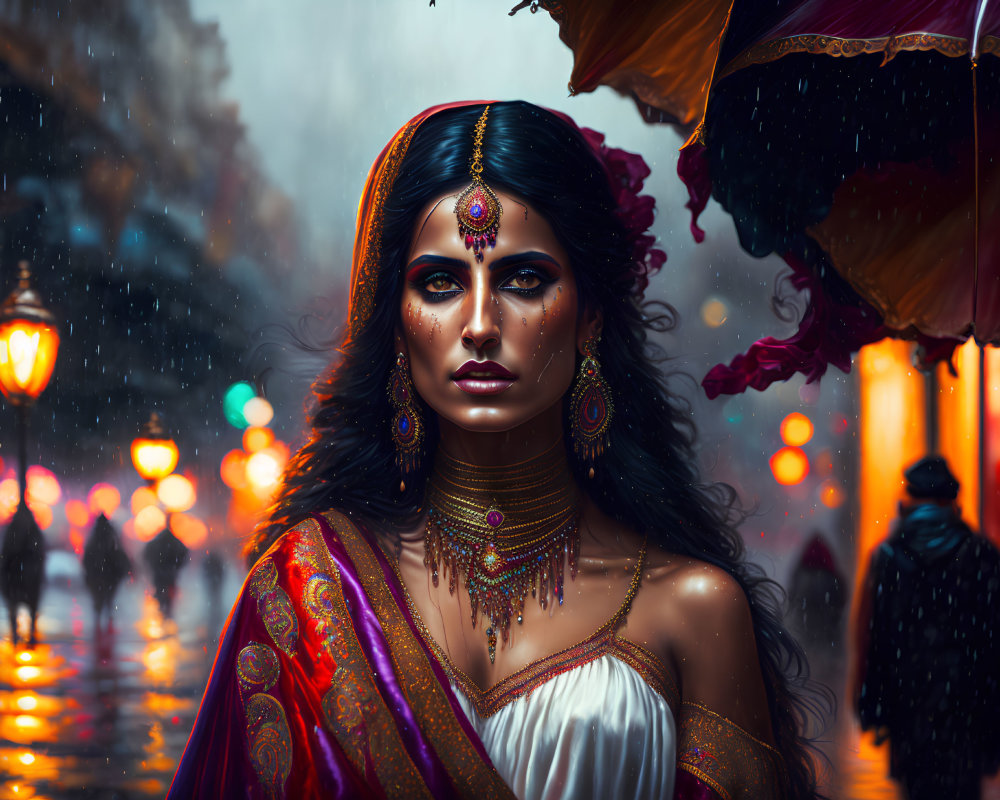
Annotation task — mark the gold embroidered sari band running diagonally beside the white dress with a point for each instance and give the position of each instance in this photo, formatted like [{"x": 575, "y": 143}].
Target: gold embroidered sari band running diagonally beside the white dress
[{"x": 415, "y": 674}]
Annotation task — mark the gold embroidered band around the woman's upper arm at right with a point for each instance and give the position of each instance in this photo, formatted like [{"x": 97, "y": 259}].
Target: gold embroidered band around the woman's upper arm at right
[{"x": 736, "y": 764}]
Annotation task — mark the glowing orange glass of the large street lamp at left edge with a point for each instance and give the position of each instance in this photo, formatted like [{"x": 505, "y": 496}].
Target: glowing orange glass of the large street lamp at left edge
[{"x": 27, "y": 356}]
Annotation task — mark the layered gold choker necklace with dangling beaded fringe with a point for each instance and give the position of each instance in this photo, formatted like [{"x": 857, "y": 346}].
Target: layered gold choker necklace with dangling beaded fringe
[{"x": 508, "y": 530}]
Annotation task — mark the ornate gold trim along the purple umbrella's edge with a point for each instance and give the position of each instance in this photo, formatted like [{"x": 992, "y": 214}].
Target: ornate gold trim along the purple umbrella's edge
[{"x": 817, "y": 44}]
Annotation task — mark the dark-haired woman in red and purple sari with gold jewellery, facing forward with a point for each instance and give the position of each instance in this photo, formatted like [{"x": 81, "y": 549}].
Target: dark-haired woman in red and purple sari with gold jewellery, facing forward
[{"x": 499, "y": 577}]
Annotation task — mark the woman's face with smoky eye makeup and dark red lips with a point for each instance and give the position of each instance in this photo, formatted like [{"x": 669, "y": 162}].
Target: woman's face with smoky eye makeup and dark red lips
[{"x": 492, "y": 344}]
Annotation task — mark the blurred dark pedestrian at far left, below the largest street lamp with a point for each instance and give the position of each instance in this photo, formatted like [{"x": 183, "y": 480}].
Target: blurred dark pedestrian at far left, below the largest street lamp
[{"x": 22, "y": 568}]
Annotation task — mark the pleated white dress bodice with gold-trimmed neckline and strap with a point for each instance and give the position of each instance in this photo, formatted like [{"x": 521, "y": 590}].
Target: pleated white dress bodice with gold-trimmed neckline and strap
[{"x": 592, "y": 721}]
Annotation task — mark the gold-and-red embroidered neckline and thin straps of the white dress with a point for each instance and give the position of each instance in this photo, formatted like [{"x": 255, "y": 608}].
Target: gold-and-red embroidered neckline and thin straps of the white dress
[{"x": 526, "y": 679}]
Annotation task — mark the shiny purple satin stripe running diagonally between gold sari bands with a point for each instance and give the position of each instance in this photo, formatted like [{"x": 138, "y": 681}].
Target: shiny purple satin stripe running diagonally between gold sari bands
[{"x": 372, "y": 640}]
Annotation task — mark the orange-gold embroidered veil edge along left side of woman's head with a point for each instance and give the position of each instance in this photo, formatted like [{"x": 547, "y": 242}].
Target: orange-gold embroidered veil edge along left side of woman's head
[{"x": 364, "y": 280}]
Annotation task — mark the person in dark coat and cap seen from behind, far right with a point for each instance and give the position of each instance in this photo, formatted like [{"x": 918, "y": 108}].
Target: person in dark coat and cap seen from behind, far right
[{"x": 928, "y": 645}]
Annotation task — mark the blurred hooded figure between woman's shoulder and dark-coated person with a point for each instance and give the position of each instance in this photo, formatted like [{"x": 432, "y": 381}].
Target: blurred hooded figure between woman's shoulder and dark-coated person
[{"x": 817, "y": 595}]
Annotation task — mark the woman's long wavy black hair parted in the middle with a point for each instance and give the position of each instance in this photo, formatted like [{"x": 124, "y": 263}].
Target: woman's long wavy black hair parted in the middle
[{"x": 647, "y": 479}]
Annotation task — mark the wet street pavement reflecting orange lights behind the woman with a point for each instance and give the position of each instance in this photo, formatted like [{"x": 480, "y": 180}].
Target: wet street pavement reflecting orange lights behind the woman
[{"x": 86, "y": 716}]
